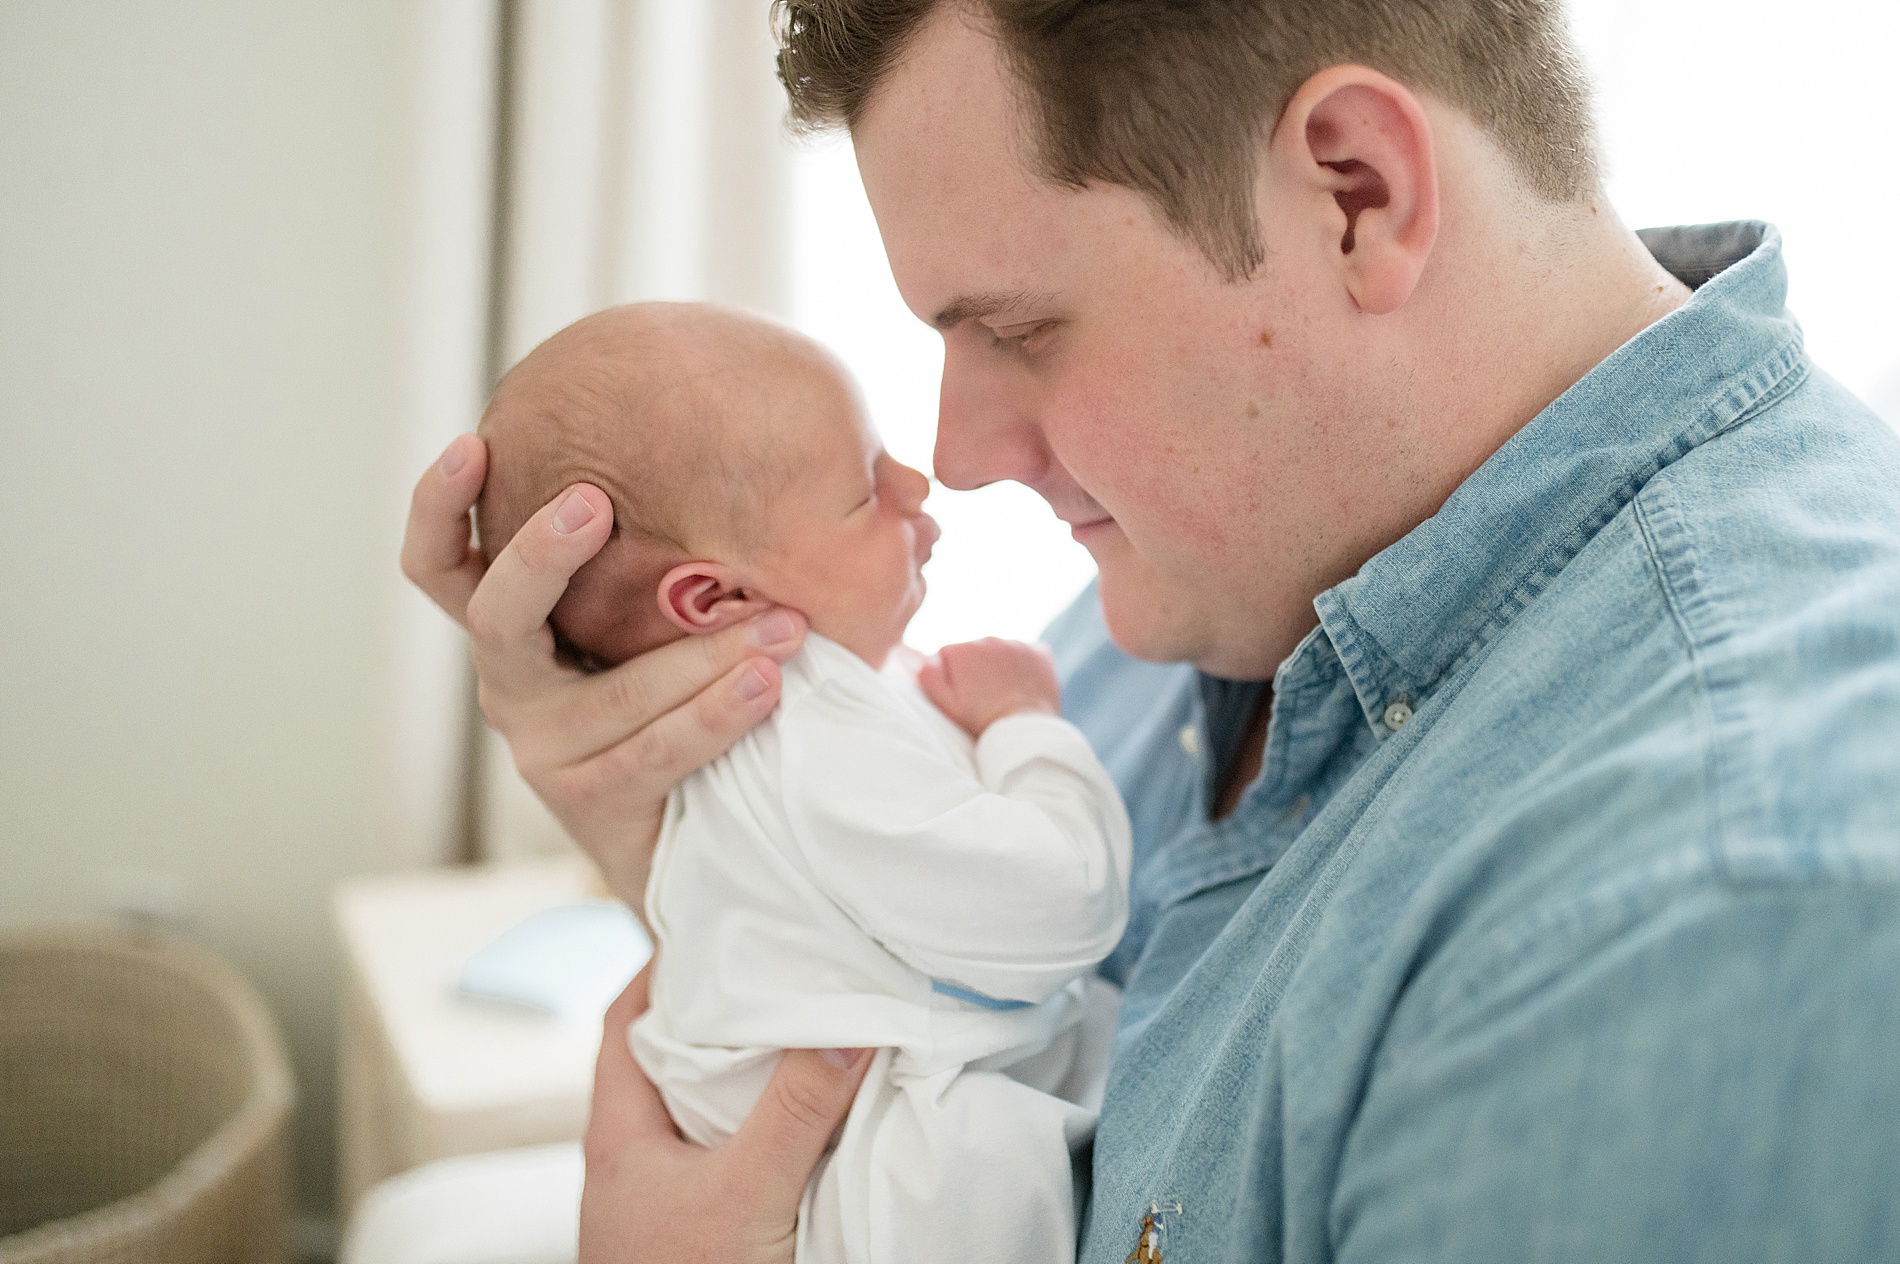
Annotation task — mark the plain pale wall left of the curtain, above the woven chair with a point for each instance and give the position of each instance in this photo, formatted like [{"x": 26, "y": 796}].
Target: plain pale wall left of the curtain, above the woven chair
[{"x": 202, "y": 278}]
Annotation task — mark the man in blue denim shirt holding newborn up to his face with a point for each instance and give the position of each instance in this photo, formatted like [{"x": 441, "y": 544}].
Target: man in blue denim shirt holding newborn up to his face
[{"x": 1519, "y": 835}]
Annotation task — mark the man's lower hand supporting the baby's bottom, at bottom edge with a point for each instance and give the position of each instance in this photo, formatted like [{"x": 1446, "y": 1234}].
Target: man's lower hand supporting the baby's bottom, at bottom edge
[{"x": 655, "y": 1197}]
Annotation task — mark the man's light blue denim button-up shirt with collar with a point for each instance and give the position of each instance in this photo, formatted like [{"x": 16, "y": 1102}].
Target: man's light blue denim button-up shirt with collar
[{"x": 1563, "y": 921}]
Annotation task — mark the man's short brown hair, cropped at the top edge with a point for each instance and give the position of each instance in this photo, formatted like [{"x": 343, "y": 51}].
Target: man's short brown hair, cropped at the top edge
[{"x": 1171, "y": 98}]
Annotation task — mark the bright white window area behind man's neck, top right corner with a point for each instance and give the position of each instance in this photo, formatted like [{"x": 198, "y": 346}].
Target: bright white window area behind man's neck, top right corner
[{"x": 1779, "y": 111}]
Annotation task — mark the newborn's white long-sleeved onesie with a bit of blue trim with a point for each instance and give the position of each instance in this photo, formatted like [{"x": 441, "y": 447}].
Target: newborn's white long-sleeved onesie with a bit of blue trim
[{"x": 856, "y": 873}]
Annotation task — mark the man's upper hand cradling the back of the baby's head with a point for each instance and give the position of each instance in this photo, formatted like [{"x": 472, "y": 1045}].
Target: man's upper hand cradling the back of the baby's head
[{"x": 601, "y": 750}]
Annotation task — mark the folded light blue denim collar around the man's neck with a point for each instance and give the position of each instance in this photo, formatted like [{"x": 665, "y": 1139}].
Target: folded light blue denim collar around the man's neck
[{"x": 1441, "y": 594}]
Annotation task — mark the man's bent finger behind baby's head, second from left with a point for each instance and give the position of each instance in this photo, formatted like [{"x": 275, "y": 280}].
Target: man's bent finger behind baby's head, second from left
[{"x": 508, "y": 611}]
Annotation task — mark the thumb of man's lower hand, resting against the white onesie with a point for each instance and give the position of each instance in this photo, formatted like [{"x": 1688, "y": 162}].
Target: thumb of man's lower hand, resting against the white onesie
[{"x": 780, "y": 1145}]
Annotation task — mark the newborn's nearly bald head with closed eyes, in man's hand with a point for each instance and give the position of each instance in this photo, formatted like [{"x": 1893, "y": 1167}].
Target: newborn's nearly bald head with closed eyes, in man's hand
[{"x": 742, "y": 469}]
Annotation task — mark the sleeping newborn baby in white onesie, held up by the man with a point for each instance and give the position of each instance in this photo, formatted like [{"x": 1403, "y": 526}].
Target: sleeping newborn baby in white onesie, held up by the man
[{"x": 865, "y": 870}]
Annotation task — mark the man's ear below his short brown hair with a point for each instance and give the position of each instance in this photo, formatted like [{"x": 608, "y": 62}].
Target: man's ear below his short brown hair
[{"x": 1363, "y": 142}]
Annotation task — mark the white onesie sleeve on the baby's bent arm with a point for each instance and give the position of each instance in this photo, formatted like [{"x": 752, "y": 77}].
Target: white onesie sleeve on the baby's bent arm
[{"x": 1008, "y": 883}]
